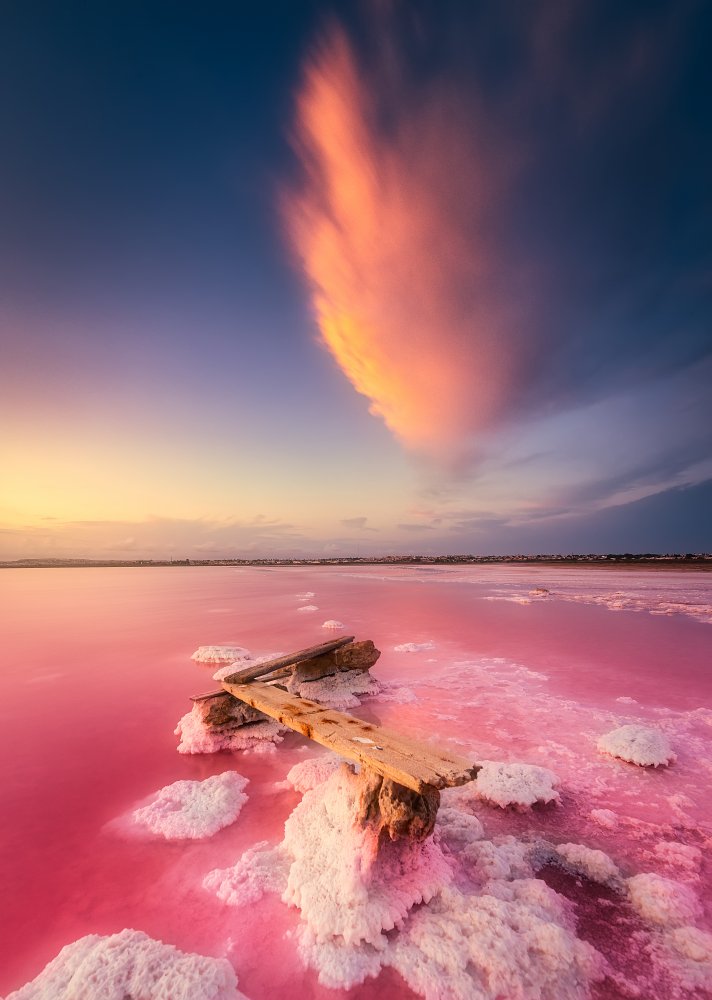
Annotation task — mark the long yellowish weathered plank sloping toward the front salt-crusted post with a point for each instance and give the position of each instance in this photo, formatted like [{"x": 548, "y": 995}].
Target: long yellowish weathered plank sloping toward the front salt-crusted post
[{"x": 415, "y": 764}]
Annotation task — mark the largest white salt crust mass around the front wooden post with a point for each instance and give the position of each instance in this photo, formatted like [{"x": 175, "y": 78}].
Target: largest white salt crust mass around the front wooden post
[{"x": 489, "y": 929}]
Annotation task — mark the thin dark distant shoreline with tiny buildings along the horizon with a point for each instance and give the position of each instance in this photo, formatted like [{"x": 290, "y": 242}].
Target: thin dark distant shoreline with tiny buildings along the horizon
[{"x": 701, "y": 560}]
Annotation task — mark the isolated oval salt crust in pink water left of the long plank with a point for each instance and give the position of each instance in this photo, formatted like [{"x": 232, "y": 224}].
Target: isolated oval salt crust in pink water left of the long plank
[{"x": 193, "y": 809}]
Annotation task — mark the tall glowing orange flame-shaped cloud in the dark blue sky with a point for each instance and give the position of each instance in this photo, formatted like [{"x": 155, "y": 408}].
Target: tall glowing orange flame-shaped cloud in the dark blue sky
[{"x": 395, "y": 224}]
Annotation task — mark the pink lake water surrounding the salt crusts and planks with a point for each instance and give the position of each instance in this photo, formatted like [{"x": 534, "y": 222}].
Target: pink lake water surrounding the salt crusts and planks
[{"x": 97, "y": 671}]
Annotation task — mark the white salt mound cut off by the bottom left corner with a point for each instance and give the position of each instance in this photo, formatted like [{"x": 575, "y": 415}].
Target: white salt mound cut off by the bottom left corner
[{"x": 131, "y": 964}]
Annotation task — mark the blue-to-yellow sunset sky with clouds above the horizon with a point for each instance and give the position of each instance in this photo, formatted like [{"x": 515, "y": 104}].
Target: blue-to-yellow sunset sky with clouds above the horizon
[{"x": 320, "y": 278}]
